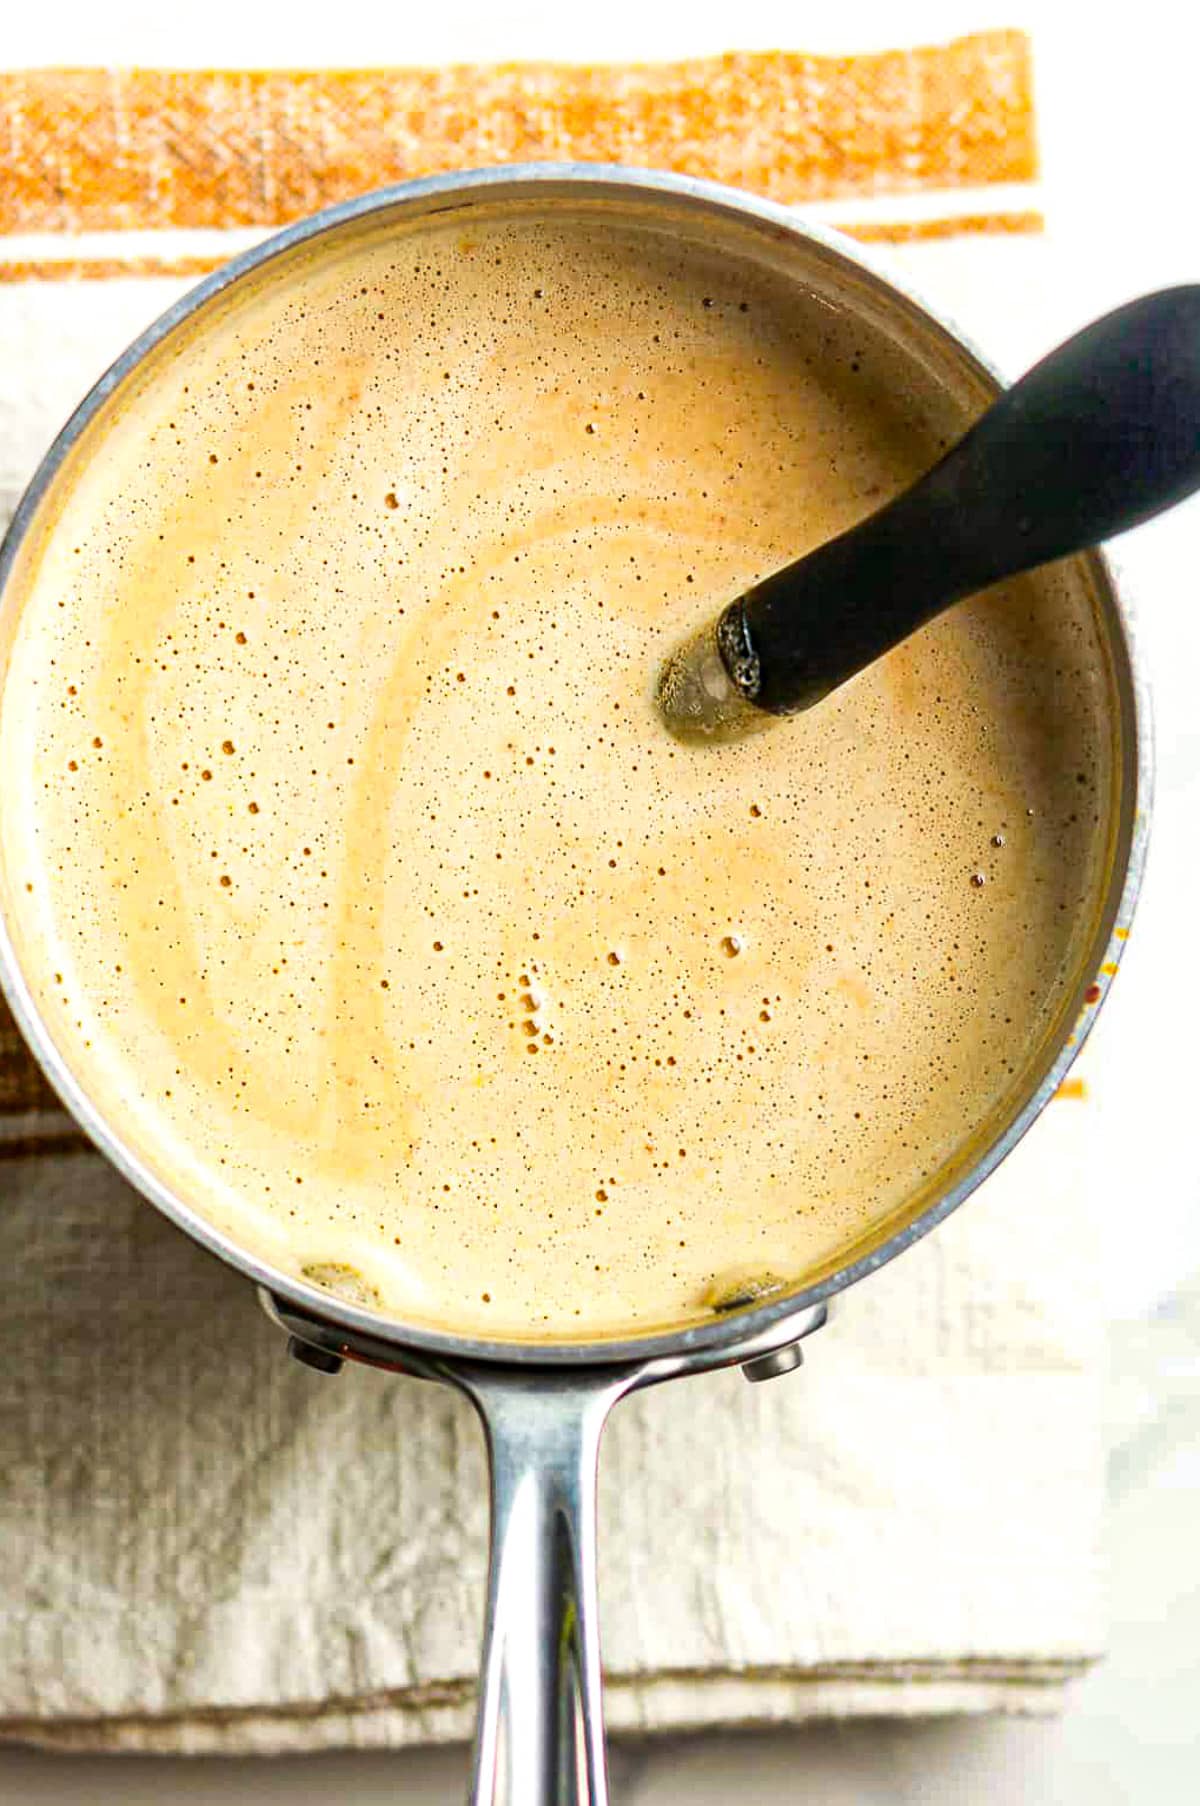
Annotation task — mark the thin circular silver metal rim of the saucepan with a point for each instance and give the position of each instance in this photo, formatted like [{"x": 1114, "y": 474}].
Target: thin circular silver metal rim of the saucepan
[{"x": 697, "y": 1345}]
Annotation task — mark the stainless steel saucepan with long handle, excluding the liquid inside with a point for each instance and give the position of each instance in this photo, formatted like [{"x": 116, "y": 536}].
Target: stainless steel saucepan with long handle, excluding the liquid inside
[{"x": 543, "y": 1408}]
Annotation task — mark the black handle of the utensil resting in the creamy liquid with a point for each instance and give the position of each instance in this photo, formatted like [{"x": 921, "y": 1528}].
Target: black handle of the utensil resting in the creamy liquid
[{"x": 1098, "y": 438}]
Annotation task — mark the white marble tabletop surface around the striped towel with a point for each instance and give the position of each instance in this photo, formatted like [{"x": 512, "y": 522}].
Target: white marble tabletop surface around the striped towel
[{"x": 1118, "y": 109}]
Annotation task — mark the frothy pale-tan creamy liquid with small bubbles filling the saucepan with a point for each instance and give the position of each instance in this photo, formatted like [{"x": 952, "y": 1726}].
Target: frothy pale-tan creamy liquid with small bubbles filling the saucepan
[{"x": 357, "y": 873}]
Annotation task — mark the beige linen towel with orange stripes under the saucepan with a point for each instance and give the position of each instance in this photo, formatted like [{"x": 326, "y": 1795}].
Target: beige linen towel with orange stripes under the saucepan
[{"x": 209, "y": 1549}]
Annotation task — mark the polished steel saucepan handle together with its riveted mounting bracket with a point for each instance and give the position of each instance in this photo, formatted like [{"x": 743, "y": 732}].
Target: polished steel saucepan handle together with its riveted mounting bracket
[{"x": 539, "y": 1738}]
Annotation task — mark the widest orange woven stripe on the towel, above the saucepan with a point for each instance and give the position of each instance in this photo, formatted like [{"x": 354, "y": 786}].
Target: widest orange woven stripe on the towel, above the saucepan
[{"x": 98, "y": 151}]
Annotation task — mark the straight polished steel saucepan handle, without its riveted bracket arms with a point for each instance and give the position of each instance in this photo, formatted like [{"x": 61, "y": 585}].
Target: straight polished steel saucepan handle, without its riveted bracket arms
[{"x": 541, "y": 1722}]
